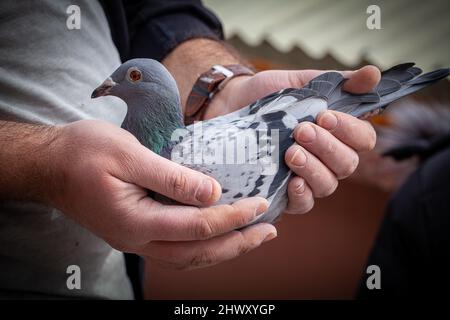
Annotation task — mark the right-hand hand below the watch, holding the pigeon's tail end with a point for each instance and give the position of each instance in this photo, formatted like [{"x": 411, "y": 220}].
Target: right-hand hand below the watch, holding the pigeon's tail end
[{"x": 325, "y": 152}]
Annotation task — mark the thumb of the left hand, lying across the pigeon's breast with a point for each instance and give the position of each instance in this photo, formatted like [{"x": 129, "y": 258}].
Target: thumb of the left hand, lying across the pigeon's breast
[{"x": 151, "y": 171}]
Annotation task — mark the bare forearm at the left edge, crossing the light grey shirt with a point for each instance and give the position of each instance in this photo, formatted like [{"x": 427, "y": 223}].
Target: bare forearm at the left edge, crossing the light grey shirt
[{"x": 25, "y": 158}]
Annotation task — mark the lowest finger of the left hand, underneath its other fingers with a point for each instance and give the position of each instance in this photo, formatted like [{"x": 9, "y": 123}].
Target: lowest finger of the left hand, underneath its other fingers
[{"x": 196, "y": 254}]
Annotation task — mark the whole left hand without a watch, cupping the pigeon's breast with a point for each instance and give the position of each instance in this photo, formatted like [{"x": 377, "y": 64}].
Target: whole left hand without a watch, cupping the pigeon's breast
[{"x": 101, "y": 175}]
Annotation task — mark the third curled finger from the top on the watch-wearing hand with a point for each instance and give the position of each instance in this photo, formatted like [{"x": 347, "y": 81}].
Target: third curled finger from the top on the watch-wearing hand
[{"x": 303, "y": 163}]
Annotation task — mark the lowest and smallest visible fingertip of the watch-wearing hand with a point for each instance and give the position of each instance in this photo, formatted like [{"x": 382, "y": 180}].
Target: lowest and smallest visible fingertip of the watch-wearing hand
[{"x": 301, "y": 199}]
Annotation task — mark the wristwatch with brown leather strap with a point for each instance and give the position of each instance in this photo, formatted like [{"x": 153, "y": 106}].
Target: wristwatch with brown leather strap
[{"x": 207, "y": 85}]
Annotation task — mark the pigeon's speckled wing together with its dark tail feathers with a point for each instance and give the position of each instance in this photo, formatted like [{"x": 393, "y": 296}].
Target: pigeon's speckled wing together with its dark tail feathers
[{"x": 279, "y": 113}]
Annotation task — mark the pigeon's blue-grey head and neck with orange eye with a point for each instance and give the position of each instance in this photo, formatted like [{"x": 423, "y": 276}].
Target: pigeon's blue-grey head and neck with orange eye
[{"x": 152, "y": 98}]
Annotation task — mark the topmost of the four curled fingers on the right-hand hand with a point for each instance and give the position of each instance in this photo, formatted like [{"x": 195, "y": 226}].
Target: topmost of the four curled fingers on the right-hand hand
[{"x": 357, "y": 134}]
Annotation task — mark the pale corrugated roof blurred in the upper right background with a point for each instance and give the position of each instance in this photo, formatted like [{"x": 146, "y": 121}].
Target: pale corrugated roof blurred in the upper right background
[{"x": 412, "y": 30}]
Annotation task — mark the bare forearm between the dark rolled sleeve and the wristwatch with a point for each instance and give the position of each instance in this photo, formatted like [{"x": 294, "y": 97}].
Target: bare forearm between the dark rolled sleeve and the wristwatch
[{"x": 193, "y": 57}]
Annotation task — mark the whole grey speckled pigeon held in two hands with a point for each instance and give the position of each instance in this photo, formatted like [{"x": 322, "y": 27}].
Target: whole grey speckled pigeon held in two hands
[{"x": 244, "y": 150}]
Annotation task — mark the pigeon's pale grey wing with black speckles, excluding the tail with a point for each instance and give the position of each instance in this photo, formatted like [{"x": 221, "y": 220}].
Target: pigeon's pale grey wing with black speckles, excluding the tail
[{"x": 246, "y": 154}]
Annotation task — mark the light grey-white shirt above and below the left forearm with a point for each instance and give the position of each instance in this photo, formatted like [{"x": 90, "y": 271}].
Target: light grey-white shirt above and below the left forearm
[{"x": 47, "y": 74}]
